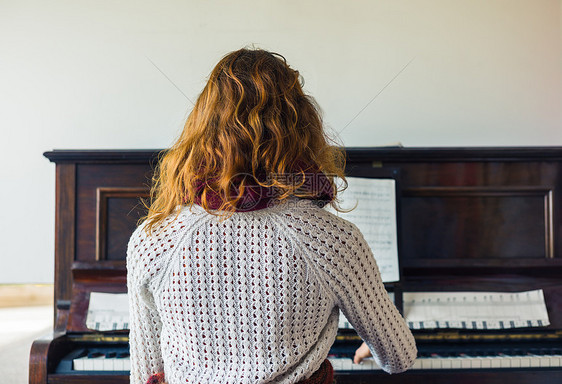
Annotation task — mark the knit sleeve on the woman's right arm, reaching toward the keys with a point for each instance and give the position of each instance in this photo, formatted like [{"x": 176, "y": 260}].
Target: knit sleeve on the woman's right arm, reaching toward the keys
[{"x": 346, "y": 262}]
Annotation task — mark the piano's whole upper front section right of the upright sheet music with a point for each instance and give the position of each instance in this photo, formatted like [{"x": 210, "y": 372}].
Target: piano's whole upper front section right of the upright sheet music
[{"x": 497, "y": 211}]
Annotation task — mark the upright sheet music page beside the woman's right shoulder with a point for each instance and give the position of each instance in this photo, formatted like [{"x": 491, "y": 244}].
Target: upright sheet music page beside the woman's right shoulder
[{"x": 375, "y": 216}]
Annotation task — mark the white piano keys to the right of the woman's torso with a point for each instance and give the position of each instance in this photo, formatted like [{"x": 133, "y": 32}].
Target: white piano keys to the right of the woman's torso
[{"x": 550, "y": 358}]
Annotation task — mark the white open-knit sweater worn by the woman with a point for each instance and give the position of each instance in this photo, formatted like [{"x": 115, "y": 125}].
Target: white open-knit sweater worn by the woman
[{"x": 254, "y": 298}]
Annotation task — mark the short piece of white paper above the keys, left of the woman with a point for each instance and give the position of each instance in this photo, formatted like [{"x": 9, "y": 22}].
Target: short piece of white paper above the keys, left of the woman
[{"x": 108, "y": 311}]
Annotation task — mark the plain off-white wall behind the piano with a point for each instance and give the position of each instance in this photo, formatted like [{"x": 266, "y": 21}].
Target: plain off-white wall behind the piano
[{"x": 80, "y": 74}]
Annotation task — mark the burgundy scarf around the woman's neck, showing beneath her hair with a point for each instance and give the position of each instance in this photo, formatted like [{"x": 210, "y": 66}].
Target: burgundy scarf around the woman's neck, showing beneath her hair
[{"x": 257, "y": 197}]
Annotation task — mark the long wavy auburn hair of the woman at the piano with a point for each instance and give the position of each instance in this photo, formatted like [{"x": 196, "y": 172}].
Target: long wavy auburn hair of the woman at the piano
[{"x": 251, "y": 125}]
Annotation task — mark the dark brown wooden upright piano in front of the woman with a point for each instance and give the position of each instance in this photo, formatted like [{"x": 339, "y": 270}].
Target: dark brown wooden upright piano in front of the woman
[{"x": 472, "y": 219}]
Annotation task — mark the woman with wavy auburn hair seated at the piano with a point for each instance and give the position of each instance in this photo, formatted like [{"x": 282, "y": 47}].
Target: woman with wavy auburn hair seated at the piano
[{"x": 237, "y": 273}]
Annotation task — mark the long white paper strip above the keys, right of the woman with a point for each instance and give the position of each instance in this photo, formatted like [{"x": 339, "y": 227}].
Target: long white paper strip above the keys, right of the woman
[{"x": 475, "y": 310}]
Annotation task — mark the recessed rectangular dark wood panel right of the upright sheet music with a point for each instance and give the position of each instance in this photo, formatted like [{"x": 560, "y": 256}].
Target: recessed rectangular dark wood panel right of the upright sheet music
[{"x": 477, "y": 223}]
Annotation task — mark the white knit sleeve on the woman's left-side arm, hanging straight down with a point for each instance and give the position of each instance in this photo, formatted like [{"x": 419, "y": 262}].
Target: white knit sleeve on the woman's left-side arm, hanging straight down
[{"x": 144, "y": 322}]
